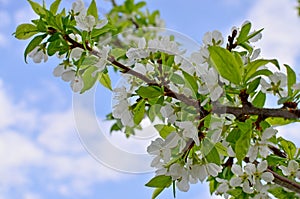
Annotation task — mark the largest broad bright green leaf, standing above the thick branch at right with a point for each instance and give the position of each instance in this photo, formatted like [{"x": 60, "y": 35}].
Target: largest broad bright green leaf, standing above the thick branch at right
[{"x": 225, "y": 63}]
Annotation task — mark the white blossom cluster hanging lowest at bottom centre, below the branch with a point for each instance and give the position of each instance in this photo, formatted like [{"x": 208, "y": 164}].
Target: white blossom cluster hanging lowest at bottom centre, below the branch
[{"x": 182, "y": 174}]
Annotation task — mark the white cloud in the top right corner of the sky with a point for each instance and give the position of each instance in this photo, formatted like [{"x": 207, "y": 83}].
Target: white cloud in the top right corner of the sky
[{"x": 281, "y": 29}]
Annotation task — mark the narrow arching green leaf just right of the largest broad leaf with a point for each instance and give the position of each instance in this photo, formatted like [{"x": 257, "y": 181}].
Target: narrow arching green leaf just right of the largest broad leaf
[{"x": 252, "y": 67}]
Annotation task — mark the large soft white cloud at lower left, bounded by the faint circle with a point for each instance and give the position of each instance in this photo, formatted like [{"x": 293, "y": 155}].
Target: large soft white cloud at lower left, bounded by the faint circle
[{"x": 32, "y": 141}]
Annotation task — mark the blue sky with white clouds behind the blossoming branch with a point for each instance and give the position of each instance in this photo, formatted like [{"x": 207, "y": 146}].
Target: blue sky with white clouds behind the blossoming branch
[{"x": 41, "y": 154}]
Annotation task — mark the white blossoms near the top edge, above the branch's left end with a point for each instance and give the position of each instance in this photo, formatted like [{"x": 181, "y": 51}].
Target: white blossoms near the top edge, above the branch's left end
[{"x": 84, "y": 21}]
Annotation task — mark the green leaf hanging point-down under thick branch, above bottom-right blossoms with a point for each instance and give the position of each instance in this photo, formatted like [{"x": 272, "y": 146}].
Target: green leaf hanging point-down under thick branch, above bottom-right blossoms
[{"x": 242, "y": 144}]
